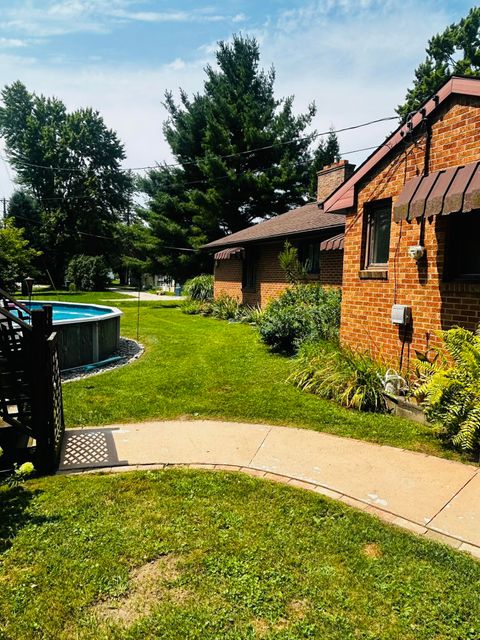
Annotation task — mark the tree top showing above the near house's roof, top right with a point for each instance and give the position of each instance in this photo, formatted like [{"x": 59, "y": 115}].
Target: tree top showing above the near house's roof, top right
[{"x": 455, "y": 51}]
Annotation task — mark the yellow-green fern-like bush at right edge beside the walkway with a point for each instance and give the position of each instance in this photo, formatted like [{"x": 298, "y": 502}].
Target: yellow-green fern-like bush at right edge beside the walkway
[{"x": 449, "y": 387}]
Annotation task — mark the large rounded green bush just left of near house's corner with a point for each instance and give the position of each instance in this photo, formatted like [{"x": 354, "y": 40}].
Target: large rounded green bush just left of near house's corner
[{"x": 302, "y": 313}]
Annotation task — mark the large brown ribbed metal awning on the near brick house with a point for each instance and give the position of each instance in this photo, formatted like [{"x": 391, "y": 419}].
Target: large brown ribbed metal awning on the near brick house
[{"x": 440, "y": 193}]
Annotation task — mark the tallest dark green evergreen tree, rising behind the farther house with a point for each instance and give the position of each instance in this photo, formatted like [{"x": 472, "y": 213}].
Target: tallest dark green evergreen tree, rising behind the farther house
[{"x": 221, "y": 185}]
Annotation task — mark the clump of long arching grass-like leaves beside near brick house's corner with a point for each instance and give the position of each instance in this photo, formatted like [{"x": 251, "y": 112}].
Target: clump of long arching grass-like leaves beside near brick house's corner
[{"x": 338, "y": 373}]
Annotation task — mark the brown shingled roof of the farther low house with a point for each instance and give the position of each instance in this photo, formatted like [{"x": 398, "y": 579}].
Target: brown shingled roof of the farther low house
[{"x": 308, "y": 218}]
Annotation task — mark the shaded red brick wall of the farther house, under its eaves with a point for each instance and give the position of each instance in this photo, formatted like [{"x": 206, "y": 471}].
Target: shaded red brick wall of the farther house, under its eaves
[{"x": 270, "y": 277}]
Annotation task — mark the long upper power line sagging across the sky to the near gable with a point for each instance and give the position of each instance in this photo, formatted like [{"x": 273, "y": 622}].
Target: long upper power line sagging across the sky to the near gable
[{"x": 223, "y": 157}]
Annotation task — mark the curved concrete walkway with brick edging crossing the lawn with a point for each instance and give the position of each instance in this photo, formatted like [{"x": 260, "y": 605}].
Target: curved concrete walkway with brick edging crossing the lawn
[{"x": 428, "y": 495}]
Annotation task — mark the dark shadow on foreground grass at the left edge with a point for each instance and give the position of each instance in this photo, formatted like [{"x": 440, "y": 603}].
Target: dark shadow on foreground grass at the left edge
[{"x": 14, "y": 514}]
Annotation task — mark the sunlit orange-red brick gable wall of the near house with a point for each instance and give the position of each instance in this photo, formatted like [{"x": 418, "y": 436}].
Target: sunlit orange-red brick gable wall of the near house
[{"x": 366, "y": 306}]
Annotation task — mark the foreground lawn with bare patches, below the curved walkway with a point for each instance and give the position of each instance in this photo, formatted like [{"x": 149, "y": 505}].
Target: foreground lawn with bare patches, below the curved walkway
[{"x": 235, "y": 558}]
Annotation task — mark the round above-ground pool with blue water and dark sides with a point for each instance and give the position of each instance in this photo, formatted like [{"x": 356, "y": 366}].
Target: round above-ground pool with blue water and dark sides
[{"x": 87, "y": 333}]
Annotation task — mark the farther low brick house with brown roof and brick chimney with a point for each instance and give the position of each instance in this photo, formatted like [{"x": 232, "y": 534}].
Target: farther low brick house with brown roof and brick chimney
[{"x": 246, "y": 262}]
